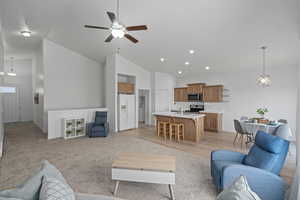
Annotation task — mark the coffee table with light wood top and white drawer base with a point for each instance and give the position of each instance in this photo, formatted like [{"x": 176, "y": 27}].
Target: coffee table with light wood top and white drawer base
[{"x": 145, "y": 168}]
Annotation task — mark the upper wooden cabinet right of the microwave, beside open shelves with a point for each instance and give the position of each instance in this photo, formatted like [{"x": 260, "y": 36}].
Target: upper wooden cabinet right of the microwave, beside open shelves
[{"x": 213, "y": 93}]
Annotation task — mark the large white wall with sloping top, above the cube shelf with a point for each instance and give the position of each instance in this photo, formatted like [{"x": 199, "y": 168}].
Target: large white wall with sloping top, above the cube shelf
[{"x": 70, "y": 79}]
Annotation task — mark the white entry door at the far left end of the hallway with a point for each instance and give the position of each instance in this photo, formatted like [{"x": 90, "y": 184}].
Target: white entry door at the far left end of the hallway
[{"x": 11, "y": 107}]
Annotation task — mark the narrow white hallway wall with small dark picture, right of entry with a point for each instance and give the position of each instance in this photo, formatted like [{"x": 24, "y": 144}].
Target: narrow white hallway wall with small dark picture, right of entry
[{"x": 38, "y": 87}]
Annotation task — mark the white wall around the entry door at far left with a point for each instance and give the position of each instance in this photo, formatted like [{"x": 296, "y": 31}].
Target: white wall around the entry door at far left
[{"x": 23, "y": 81}]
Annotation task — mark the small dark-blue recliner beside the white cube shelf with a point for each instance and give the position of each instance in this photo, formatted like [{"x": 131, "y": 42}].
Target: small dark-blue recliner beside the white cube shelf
[{"x": 100, "y": 127}]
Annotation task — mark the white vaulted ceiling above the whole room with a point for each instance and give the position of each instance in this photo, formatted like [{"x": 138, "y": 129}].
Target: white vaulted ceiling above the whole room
[{"x": 225, "y": 34}]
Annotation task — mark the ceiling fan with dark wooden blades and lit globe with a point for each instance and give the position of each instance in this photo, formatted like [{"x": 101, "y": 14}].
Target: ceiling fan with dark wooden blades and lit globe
[{"x": 118, "y": 30}]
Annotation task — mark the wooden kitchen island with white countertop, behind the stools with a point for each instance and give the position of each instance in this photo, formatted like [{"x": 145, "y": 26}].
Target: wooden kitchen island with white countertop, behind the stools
[{"x": 193, "y": 123}]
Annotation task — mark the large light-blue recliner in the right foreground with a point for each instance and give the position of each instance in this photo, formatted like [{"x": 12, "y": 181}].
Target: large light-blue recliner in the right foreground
[{"x": 261, "y": 166}]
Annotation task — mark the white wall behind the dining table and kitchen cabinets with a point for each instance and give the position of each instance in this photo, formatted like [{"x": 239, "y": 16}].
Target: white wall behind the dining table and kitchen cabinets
[{"x": 246, "y": 96}]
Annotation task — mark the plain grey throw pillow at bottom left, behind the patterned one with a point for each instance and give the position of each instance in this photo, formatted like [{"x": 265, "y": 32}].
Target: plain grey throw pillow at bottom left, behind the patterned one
[{"x": 29, "y": 190}]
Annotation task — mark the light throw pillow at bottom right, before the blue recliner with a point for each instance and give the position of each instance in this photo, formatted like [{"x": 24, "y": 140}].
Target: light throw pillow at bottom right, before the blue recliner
[{"x": 239, "y": 190}]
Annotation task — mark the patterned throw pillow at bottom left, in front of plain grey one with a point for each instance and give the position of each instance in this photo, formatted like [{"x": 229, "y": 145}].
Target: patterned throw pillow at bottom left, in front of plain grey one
[{"x": 54, "y": 189}]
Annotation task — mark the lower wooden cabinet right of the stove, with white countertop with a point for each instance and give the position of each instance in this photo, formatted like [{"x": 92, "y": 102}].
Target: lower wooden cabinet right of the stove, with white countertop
[{"x": 212, "y": 121}]
